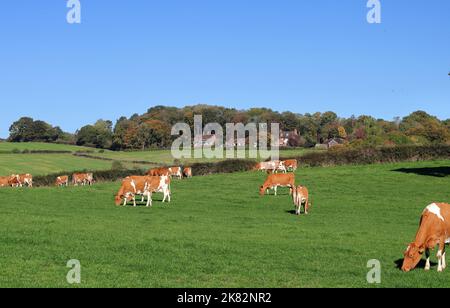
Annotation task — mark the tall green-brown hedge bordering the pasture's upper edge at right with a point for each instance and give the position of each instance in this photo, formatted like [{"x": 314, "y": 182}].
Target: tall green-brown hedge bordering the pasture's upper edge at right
[{"x": 373, "y": 155}]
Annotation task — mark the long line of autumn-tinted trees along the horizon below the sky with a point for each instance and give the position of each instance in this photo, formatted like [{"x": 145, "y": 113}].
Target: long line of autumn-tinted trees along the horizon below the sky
[{"x": 153, "y": 128}]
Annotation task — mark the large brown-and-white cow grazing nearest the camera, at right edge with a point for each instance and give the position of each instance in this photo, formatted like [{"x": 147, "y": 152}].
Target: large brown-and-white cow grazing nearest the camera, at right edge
[{"x": 434, "y": 231}]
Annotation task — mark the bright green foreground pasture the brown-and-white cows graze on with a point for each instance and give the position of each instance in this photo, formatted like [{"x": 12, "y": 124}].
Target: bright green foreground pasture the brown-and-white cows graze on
[{"x": 218, "y": 232}]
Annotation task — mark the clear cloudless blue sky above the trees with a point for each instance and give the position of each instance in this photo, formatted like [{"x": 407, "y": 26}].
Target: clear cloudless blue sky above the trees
[{"x": 296, "y": 55}]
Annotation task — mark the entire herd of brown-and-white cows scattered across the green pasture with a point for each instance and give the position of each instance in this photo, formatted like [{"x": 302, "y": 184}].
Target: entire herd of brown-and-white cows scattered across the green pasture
[{"x": 434, "y": 229}]
